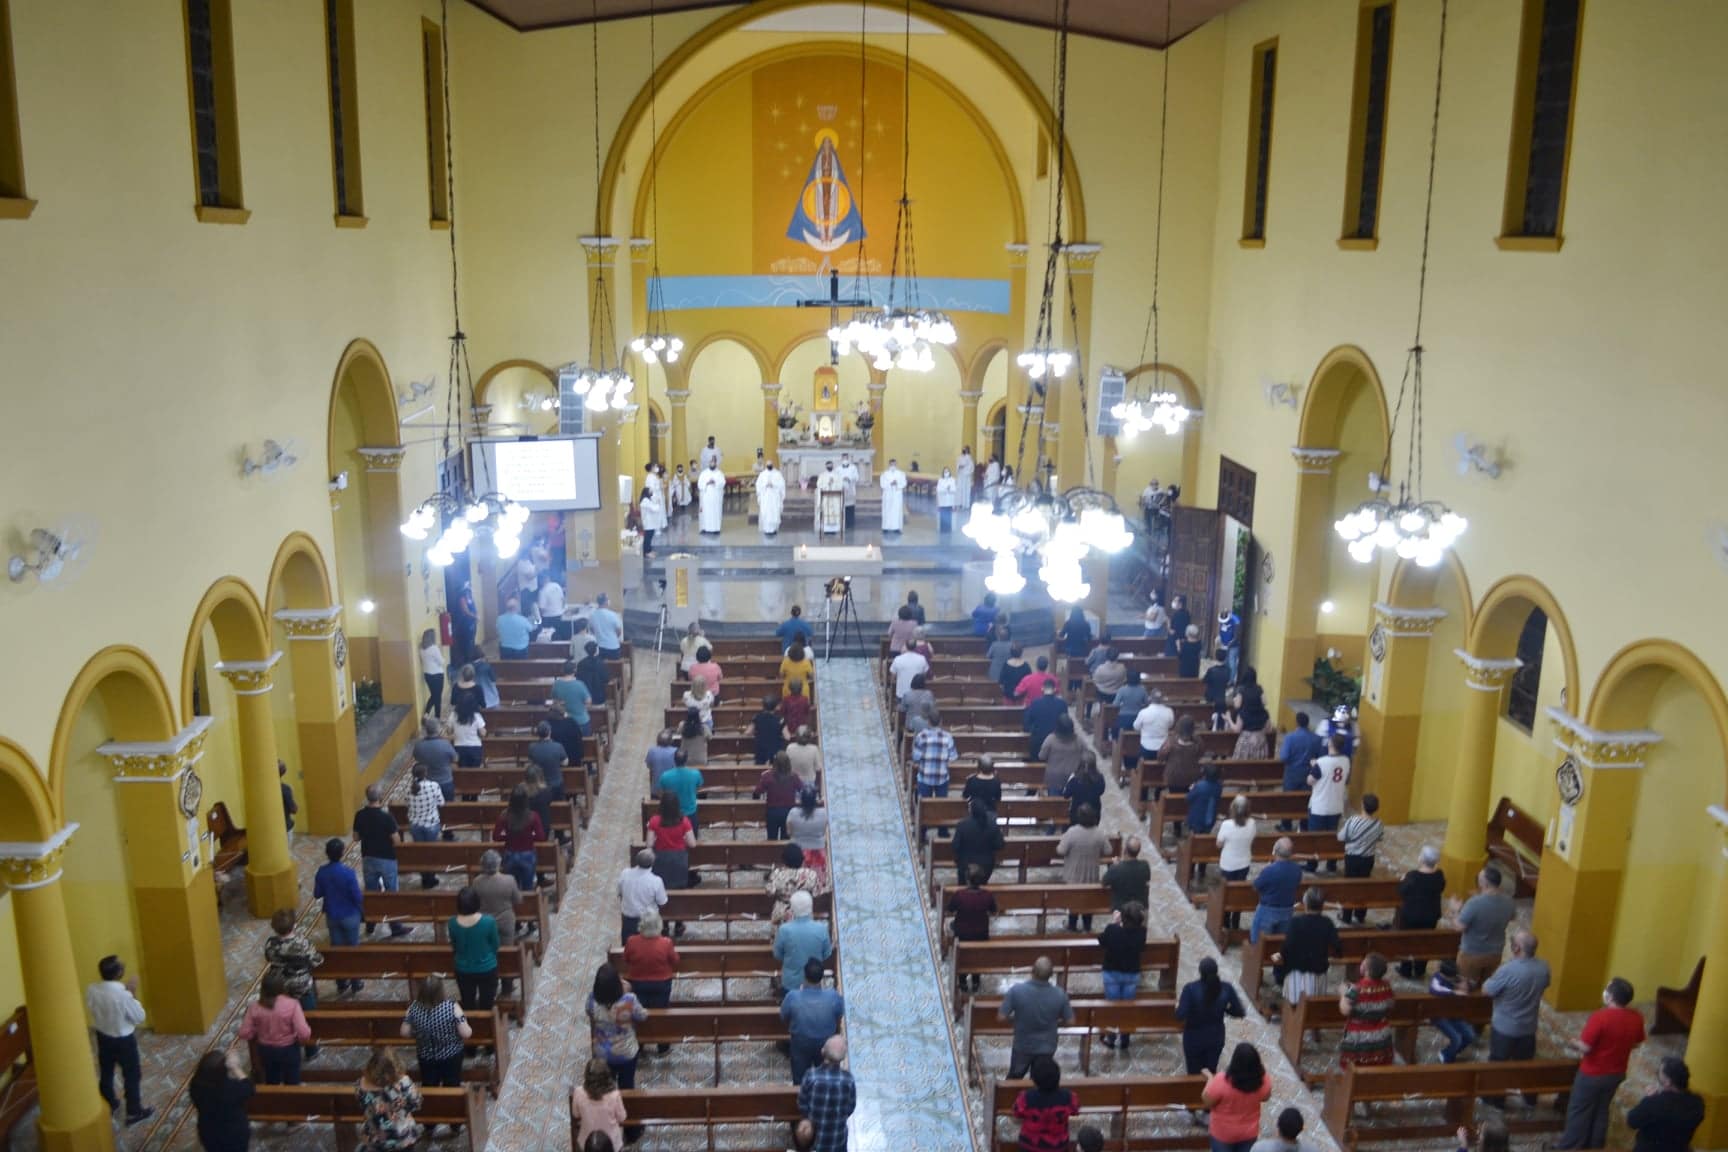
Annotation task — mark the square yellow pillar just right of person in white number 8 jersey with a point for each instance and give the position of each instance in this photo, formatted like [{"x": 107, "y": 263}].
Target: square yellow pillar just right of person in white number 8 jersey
[{"x": 1392, "y": 707}]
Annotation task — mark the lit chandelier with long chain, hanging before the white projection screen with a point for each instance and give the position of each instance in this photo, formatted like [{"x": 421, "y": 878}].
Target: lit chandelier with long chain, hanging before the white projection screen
[{"x": 474, "y": 509}]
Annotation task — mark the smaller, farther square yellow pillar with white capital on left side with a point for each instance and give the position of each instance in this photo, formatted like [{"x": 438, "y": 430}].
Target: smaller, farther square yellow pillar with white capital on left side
[{"x": 329, "y": 754}]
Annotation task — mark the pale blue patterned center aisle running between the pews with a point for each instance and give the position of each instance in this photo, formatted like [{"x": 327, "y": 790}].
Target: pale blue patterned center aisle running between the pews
[{"x": 901, "y": 1053}]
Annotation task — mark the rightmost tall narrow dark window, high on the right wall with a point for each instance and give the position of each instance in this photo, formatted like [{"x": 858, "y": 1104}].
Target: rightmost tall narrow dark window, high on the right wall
[{"x": 1542, "y": 123}]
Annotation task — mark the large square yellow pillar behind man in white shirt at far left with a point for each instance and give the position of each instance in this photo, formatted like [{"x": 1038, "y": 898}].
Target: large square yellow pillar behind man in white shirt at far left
[{"x": 181, "y": 963}]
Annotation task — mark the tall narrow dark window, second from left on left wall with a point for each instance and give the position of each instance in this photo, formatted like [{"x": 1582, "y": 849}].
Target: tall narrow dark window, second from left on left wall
[{"x": 215, "y": 122}]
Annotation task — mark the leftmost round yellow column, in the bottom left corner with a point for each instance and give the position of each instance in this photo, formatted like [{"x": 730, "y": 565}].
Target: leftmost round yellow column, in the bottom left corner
[{"x": 73, "y": 1115}]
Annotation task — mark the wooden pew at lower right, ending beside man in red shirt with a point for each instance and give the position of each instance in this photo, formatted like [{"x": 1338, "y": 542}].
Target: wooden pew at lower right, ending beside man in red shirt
[{"x": 1458, "y": 1086}]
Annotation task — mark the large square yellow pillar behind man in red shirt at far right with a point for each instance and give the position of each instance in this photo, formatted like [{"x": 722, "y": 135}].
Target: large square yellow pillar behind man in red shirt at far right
[{"x": 1584, "y": 859}]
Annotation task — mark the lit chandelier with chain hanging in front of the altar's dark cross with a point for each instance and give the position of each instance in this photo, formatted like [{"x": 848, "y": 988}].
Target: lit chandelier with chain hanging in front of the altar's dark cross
[{"x": 899, "y": 336}]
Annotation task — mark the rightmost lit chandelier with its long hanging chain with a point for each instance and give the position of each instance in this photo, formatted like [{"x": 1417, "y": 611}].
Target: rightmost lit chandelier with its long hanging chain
[{"x": 1409, "y": 526}]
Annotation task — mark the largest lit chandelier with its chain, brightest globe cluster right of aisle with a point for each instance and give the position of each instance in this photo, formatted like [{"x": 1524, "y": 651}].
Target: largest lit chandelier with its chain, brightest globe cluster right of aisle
[{"x": 1058, "y": 529}]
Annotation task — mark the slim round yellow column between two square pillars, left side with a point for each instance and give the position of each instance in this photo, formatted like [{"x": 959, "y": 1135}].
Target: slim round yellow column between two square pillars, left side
[{"x": 270, "y": 877}]
